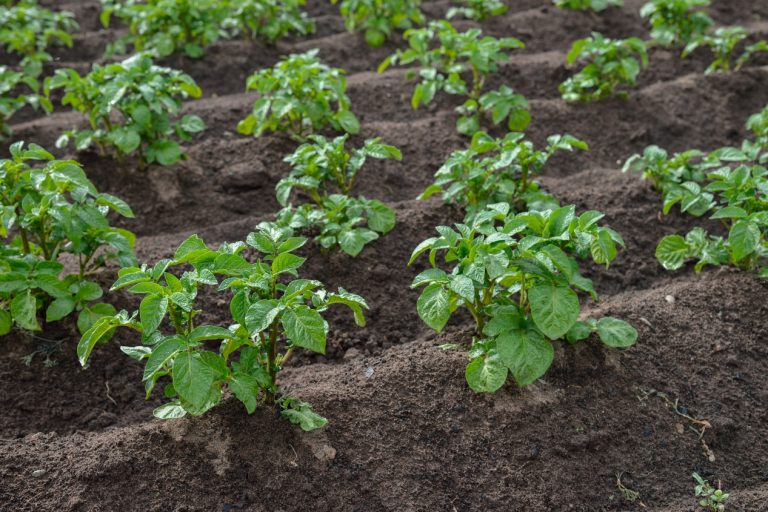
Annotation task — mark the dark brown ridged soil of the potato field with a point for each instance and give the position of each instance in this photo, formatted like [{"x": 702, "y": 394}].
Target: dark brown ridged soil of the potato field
[{"x": 602, "y": 431}]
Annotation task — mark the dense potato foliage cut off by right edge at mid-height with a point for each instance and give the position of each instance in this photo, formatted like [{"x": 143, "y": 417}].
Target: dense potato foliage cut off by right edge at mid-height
[{"x": 729, "y": 184}]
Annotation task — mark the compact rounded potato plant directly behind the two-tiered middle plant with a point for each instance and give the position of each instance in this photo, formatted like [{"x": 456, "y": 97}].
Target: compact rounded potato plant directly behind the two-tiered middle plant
[{"x": 300, "y": 95}]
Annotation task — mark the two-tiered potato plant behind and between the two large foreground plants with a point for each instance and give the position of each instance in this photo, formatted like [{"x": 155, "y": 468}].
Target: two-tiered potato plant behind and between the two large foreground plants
[{"x": 326, "y": 173}]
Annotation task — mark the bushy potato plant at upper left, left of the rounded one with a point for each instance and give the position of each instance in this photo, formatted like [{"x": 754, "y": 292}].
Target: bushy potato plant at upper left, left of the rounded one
[{"x": 131, "y": 106}]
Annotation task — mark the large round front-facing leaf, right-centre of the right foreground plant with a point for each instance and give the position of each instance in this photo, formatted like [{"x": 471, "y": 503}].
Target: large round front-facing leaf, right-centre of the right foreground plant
[{"x": 554, "y": 308}]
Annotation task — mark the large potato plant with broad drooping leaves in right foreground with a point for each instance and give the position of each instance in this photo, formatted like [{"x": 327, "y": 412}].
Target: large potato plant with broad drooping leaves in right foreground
[{"x": 518, "y": 276}]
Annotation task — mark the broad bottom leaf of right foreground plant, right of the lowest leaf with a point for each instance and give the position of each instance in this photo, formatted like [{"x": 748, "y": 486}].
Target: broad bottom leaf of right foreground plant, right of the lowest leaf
[{"x": 527, "y": 354}]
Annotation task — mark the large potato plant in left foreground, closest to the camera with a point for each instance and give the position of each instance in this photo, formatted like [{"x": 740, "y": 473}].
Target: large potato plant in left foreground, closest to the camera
[{"x": 274, "y": 313}]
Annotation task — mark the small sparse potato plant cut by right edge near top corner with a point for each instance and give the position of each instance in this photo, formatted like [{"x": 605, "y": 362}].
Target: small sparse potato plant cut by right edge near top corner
[{"x": 723, "y": 43}]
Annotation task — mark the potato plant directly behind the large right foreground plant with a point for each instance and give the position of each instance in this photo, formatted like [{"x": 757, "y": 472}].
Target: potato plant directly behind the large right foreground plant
[{"x": 498, "y": 170}]
